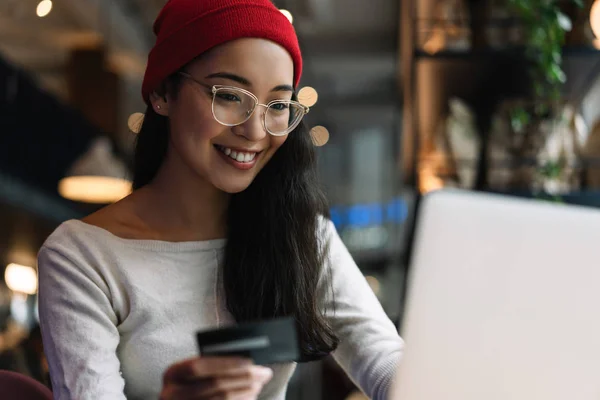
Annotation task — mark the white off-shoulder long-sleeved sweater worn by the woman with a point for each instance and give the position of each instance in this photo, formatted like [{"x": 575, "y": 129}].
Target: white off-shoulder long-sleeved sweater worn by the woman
[{"x": 116, "y": 313}]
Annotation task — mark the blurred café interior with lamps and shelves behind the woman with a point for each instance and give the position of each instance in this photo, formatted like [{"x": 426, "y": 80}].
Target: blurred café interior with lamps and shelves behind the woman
[{"x": 488, "y": 95}]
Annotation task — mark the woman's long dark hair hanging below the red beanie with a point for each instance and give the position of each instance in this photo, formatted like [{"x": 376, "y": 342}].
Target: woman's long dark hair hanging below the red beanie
[{"x": 275, "y": 253}]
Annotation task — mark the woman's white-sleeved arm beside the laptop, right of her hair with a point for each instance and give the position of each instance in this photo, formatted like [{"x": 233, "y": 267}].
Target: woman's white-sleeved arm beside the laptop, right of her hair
[{"x": 370, "y": 347}]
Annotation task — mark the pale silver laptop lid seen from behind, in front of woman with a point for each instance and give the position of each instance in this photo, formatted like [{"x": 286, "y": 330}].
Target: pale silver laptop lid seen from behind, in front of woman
[{"x": 503, "y": 301}]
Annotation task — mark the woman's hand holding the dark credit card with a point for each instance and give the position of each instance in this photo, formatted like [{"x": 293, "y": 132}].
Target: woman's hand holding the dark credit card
[{"x": 214, "y": 378}]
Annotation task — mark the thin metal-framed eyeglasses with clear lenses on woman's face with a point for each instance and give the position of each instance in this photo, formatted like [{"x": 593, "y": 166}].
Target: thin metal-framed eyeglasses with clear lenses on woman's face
[{"x": 232, "y": 106}]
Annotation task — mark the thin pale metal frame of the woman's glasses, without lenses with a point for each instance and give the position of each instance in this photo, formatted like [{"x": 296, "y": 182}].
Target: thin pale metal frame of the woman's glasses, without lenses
[{"x": 216, "y": 88}]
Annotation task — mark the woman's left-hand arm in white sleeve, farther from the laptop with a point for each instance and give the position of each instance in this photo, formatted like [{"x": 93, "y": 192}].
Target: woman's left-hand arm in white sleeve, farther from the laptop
[{"x": 79, "y": 329}]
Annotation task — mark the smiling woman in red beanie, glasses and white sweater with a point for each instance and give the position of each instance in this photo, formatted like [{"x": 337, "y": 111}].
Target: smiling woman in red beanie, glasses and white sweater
[{"x": 226, "y": 224}]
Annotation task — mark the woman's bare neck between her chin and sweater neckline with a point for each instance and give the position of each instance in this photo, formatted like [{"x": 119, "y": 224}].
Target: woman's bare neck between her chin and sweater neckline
[{"x": 185, "y": 205}]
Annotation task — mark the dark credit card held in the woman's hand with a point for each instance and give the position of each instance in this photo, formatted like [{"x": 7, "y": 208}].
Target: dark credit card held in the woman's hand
[{"x": 266, "y": 342}]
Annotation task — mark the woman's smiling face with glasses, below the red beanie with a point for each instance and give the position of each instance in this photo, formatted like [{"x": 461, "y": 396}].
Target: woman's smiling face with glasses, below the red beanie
[{"x": 222, "y": 115}]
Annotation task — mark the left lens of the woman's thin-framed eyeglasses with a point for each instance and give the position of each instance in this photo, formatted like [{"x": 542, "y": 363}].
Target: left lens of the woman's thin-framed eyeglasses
[{"x": 232, "y": 107}]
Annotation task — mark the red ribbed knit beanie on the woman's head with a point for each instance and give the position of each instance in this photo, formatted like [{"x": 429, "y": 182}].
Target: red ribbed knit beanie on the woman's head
[{"x": 185, "y": 29}]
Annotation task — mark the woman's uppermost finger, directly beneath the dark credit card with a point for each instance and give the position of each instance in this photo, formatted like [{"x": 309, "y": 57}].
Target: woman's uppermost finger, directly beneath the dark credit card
[{"x": 201, "y": 367}]
